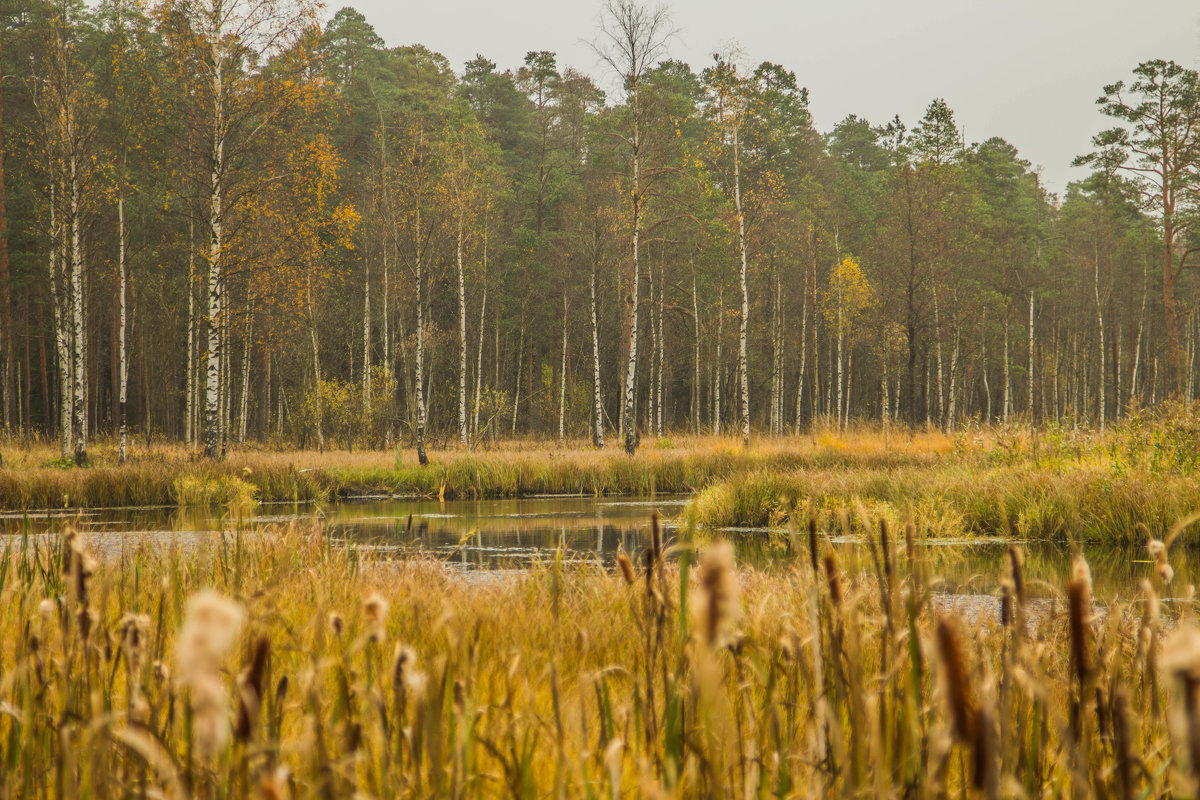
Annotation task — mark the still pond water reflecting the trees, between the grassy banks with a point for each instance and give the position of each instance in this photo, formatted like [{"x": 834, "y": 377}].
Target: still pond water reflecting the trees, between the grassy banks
[{"x": 517, "y": 534}]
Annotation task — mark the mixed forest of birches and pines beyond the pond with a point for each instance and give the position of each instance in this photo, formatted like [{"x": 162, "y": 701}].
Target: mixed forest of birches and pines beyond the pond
[{"x": 223, "y": 221}]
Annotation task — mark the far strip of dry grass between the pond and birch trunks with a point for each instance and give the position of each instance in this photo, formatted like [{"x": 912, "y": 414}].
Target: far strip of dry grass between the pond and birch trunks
[{"x": 171, "y": 476}]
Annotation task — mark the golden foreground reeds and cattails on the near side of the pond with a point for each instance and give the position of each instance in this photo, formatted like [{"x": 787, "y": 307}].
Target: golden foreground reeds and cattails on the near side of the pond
[{"x": 277, "y": 665}]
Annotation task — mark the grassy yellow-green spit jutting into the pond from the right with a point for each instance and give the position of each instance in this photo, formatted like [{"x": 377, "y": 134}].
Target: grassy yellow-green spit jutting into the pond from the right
[{"x": 1090, "y": 502}]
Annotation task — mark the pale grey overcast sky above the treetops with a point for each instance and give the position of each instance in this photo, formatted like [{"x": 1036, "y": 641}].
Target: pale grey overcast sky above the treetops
[{"x": 1029, "y": 71}]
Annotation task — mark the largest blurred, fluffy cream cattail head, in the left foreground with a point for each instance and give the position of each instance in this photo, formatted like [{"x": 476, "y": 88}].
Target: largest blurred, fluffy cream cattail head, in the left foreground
[{"x": 211, "y": 627}]
